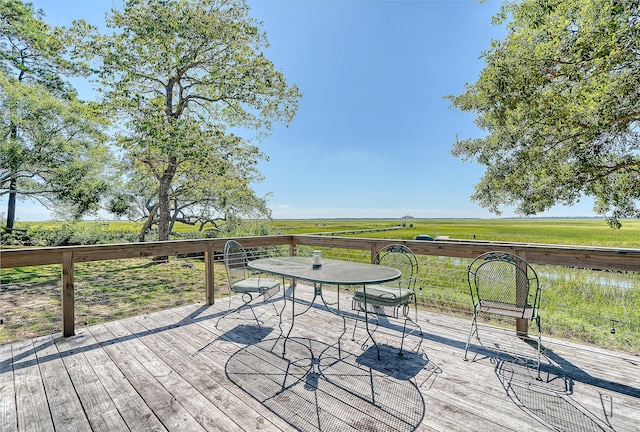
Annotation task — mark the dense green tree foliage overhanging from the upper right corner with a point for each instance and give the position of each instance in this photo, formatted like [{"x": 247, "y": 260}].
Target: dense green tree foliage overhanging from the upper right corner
[{"x": 559, "y": 99}]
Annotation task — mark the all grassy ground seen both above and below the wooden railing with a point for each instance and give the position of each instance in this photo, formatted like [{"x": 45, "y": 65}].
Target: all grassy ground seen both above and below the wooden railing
[{"x": 578, "y": 305}]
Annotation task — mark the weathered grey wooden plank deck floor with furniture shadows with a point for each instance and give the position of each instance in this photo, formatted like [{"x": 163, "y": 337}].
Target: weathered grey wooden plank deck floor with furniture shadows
[{"x": 174, "y": 370}]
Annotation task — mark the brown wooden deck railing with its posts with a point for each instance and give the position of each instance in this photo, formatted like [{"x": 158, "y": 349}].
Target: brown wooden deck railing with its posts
[{"x": 571, "y": 256}]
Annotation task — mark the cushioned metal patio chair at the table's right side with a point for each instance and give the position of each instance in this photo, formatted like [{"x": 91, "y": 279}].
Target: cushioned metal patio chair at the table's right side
[{"x": 392, "y": 299}]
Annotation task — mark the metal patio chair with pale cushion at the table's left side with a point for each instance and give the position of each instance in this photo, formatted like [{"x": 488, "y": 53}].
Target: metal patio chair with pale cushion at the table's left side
[{"x": 242, "y": 281}]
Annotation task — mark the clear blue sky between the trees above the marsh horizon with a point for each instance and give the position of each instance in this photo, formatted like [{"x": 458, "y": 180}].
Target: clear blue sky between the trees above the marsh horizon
[{"x": 373, "y": 135}]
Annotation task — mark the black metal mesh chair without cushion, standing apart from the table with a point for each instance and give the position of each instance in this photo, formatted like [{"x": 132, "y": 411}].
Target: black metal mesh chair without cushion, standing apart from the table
[{"x": 503, "y": 284}]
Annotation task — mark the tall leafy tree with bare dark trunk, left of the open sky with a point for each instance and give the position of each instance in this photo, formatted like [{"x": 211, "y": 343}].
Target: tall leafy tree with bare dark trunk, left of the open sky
[{"x": 181, "y": 75}]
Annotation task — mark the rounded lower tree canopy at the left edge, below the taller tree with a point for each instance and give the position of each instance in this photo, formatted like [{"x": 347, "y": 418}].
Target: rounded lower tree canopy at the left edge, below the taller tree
[{"x": 57, "y": 155}]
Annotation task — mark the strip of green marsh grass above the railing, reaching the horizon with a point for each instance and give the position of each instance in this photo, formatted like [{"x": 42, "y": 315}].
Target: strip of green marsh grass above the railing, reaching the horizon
[{"x": 587, "y": 231}]
